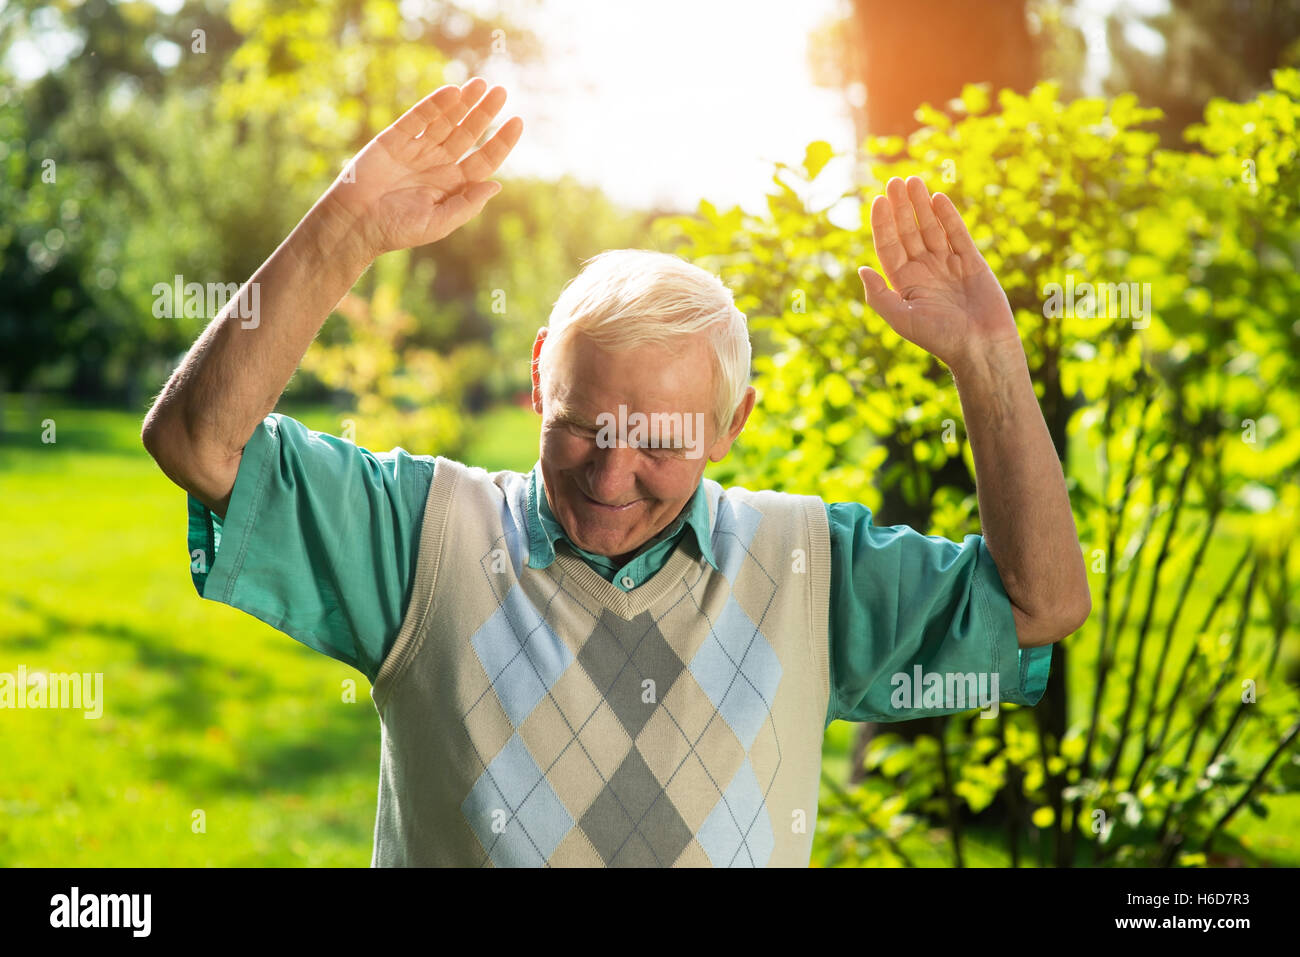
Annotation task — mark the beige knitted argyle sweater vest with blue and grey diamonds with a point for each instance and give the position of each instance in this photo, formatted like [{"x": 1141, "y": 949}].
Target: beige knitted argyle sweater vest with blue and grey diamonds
[{"x": 538, "y": 717}]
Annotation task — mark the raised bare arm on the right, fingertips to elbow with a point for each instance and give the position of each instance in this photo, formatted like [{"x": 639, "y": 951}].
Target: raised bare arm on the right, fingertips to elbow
[{"x": 947, "y": 301}]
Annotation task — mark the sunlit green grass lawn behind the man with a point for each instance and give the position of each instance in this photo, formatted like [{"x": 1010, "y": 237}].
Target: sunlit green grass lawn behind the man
[{"x": 223, "y": 742}]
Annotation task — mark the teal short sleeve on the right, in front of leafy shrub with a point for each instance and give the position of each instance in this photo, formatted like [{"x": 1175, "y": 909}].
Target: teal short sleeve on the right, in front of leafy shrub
[{"x": 921, "y": 626}]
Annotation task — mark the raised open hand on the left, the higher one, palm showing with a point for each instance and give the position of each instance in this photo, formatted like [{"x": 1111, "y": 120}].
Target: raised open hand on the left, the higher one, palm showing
[{"x": 410, "y": 185}]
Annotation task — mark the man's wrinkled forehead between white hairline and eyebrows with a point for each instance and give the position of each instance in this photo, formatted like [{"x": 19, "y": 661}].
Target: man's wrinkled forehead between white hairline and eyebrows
[{"x": 671, "y": 378}]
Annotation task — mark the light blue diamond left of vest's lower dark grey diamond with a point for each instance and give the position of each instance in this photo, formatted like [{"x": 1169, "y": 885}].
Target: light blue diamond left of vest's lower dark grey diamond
[{"x": 514, "y": 796}]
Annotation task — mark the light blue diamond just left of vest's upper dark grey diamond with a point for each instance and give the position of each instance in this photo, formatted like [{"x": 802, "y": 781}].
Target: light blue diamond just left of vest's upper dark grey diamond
[{"x": 521, "y": 653}]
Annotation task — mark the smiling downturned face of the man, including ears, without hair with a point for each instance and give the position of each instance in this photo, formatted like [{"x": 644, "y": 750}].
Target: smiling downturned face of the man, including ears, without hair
[{"x": 616, "y": 499}]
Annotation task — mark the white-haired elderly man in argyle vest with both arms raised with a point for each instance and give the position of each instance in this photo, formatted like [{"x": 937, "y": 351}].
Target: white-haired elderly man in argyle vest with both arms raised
[{"x": 613, "y": 661}]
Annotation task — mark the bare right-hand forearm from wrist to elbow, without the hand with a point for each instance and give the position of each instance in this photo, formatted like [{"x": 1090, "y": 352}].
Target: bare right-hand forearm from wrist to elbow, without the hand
[{"x": 1025, "y": 508}]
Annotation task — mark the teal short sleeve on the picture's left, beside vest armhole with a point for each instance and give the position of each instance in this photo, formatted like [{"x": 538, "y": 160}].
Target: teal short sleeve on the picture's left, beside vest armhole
[{"x": 320, "y": 540}]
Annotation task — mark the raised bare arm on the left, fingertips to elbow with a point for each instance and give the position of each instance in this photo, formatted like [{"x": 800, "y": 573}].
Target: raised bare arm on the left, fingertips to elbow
[{"x": 409, "y": 188}]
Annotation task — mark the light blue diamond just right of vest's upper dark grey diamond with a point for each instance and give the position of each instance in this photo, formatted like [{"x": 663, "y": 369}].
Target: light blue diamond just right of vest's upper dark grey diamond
[{"x": 739, "y": 672}]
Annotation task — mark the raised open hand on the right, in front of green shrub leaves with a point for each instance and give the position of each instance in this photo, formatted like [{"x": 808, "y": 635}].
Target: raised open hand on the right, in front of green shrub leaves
[{"x": 944, "y": 298}]
